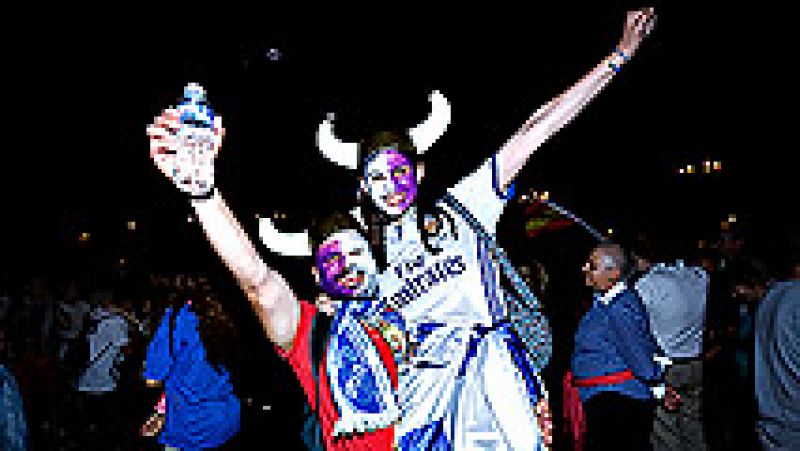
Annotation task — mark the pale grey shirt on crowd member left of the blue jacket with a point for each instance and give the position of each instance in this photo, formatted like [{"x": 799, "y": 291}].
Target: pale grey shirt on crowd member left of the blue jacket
[{"x": 105, "y": 353}]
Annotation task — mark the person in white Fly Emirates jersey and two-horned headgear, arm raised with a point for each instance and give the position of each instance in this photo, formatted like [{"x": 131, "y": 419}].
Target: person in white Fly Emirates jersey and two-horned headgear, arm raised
[{"x": 467, "y": 384}]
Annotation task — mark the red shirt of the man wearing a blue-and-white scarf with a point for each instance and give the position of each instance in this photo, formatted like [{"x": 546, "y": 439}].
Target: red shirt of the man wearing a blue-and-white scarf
[{"x": 299, "y": 358}]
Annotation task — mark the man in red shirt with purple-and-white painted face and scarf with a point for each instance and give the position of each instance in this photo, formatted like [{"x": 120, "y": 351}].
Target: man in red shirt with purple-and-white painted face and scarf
[{"x": 346, "y": 367}]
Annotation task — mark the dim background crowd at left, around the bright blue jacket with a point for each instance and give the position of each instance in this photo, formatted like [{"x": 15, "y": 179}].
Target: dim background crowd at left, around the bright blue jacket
[{"x": 77, "y": 356}]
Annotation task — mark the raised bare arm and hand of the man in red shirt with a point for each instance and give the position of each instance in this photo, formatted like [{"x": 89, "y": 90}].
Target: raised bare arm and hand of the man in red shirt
[{"x": 190, "y": 168}]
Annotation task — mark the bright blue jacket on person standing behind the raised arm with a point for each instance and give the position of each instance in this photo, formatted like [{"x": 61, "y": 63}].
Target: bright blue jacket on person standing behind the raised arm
[{"x": 202, "y": 410}]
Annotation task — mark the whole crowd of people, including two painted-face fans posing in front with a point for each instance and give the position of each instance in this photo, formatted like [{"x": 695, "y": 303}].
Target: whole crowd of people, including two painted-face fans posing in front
[{"x": 425, "y": 336}]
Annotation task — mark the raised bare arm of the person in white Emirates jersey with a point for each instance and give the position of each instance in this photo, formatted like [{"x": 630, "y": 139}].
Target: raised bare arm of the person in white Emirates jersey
[{"x": 559, "y": 111}]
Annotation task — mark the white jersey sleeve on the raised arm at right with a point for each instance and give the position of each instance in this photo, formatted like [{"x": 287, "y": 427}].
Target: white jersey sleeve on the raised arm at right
[{"x": 480, "y": 193}]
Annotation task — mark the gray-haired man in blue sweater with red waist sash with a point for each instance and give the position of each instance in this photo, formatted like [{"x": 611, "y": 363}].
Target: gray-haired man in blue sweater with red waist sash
[{"x": 609, "y": 392}]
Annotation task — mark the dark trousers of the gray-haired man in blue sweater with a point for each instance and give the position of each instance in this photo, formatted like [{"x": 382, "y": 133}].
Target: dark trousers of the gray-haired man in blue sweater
[{"x": 617, "y": 422}]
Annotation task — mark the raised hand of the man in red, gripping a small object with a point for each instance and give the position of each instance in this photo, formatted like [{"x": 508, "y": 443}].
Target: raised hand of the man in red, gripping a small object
[{"x": 188, "y": 163}]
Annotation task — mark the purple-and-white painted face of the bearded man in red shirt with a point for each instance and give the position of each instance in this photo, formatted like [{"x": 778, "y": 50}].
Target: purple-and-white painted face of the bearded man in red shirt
[{"x": 346, "y": 266}]
